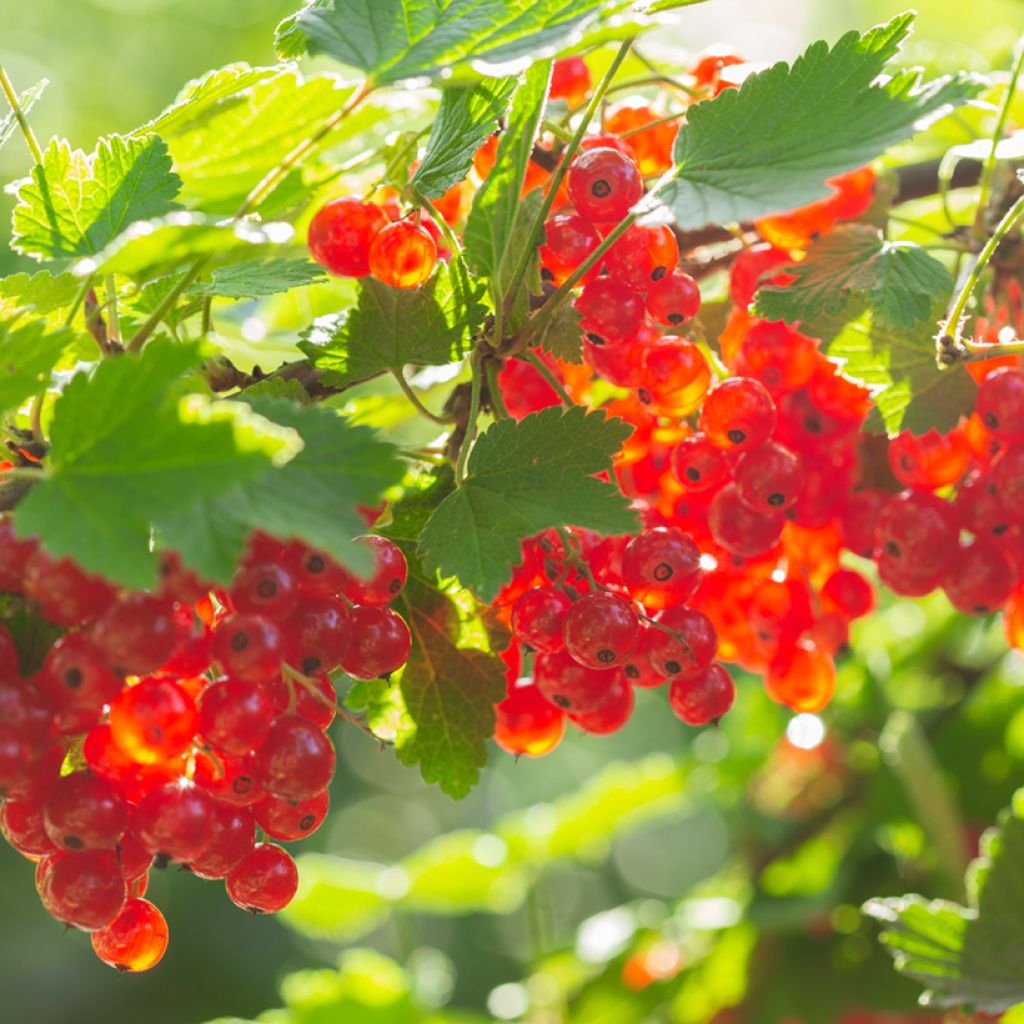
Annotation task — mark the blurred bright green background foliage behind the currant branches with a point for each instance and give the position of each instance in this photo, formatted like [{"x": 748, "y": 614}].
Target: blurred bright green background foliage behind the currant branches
[{"x": 658, "y": 875}]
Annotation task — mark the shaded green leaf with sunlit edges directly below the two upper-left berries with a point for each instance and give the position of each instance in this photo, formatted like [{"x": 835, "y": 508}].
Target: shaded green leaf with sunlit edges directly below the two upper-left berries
[{"x": 392, "y": 328}]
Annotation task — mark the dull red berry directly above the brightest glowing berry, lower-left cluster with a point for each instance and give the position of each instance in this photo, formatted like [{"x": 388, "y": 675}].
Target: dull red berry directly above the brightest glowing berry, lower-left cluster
[{"x": 137, "y": 634}]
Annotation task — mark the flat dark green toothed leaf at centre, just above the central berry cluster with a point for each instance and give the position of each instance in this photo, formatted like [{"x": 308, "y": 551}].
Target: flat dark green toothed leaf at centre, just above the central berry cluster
[{"x": 524, "y": 479}]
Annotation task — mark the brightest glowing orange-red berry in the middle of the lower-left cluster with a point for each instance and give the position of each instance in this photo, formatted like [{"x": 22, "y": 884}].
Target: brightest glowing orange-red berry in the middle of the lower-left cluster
[{"x": 154, "y": 720}]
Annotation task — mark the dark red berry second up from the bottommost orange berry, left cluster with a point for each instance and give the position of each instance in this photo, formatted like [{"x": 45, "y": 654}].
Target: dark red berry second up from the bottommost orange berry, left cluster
[{"x": 83, "y": 812}]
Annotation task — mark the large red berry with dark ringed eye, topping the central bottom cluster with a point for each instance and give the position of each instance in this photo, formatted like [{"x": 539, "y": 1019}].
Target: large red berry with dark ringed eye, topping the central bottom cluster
[{"x": 662, "y": 568}]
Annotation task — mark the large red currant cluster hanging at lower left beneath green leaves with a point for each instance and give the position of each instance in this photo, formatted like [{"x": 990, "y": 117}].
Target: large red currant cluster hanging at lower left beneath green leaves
[{"x": 187, "y": 726}]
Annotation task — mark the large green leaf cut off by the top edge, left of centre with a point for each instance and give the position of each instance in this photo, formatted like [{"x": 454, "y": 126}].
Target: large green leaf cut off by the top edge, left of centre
[{"x": 391, "y": 40}]
